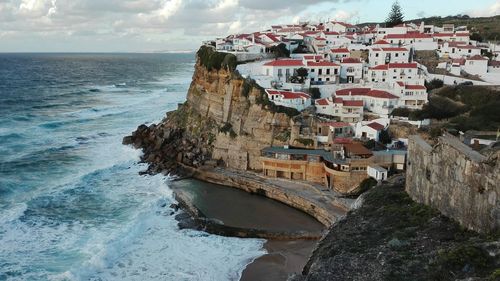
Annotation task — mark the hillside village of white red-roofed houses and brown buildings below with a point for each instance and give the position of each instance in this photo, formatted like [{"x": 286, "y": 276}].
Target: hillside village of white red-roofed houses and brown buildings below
[{"x": 349, "y": 80}]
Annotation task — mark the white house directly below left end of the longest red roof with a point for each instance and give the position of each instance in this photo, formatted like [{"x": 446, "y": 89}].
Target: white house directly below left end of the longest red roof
[{"x": 345, "y": 110}]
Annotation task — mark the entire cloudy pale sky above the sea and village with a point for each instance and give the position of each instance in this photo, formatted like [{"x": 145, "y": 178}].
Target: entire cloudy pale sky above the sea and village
[{"x": 181, "y": 25}]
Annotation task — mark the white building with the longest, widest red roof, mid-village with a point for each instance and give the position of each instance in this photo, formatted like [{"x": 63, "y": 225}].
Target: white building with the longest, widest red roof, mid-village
[{"x": 377, "y": 101}]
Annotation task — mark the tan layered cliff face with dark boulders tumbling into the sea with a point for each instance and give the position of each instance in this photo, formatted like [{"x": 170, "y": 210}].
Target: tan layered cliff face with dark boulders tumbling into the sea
[{"x": 225, "y": 120}]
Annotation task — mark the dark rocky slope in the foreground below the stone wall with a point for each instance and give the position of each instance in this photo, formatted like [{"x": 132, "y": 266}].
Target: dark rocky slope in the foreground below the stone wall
[{"x": 391, "y": 237}]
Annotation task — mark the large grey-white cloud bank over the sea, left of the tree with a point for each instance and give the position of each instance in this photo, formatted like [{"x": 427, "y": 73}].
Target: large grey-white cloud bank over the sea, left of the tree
[{"x": 160, "y": 21}]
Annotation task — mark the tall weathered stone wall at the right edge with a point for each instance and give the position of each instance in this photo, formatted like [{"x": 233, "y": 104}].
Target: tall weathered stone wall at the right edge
[{"x": 456, "y": 180}]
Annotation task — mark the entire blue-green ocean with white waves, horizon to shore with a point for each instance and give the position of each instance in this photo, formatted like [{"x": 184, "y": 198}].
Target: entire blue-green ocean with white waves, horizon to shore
[{"x": 72, "y": 204}]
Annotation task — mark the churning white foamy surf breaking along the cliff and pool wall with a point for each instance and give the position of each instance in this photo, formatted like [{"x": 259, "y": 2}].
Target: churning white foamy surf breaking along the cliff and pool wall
[{"x": 50, "y": 235}]
